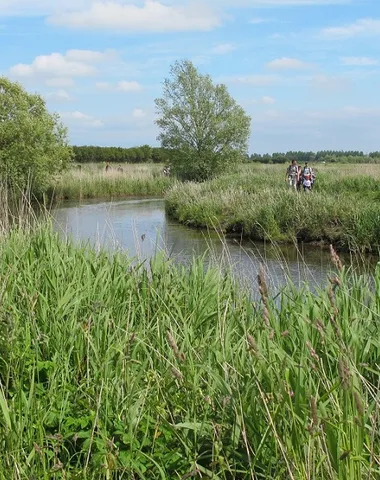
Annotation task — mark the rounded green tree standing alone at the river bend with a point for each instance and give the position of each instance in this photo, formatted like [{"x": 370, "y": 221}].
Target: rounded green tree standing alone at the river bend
[{"x": 201, "y": 123}]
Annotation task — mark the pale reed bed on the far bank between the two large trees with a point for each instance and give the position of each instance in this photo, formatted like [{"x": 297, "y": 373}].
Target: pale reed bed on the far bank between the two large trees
[{"x": 92, "y": 181}]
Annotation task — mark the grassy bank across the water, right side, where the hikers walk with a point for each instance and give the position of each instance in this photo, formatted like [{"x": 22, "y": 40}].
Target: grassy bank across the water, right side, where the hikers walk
[{"x": 342, "y": 209}]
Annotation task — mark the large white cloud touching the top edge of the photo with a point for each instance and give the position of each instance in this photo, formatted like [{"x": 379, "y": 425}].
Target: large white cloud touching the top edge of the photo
[{"x": 153, "y": 16}]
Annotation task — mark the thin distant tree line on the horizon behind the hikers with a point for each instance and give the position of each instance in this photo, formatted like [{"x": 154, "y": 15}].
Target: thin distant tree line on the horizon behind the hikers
[{"x": 329, "y": 156}]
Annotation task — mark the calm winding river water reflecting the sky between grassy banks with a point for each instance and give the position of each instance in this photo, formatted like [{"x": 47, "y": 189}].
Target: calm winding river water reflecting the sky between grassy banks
[{"x": 140, "y": 227}]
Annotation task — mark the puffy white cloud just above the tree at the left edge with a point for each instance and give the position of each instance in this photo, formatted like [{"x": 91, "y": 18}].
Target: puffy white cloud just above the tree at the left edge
[{"x": 74, "y": 63}]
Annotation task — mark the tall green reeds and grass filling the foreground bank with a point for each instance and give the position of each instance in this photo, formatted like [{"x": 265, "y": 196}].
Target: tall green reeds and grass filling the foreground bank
[{"x": 108, "y": 371}]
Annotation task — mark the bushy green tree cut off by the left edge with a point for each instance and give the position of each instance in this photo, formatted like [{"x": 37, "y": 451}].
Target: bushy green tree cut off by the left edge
[{"x": 33, "y": 142}]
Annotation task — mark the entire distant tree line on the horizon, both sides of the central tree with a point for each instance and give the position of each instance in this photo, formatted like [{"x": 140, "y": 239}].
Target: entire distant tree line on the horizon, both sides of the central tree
[{"x": 145, "y": 153}]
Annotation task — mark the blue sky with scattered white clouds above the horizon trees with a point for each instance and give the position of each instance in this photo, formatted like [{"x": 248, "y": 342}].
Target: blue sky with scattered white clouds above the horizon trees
[{"x": 307, "y": 71}]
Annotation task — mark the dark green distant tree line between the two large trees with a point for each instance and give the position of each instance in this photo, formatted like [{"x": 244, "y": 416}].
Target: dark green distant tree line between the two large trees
[{"x": 142, "y": 154}]
